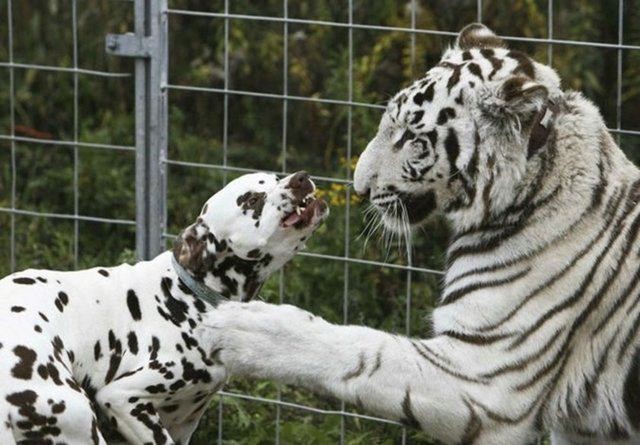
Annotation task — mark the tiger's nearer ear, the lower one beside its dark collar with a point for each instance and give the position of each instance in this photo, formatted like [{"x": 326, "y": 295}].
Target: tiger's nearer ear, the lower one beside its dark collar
[{"x": 516, "y": 96}]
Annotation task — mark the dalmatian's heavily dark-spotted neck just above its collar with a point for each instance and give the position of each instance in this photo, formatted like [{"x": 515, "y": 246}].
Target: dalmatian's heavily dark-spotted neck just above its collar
[{"x": 231, "y": 276}]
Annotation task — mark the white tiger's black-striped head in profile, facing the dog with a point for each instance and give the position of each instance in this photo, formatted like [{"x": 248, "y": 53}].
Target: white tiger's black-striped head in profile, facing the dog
[{"x": 473, "y": 126}]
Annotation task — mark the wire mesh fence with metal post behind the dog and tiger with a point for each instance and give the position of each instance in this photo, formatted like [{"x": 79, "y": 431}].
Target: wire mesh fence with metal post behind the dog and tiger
[{"x": 102, "y": 156}]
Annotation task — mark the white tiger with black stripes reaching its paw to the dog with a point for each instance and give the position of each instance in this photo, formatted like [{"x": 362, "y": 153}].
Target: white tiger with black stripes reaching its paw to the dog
[{"x": 537, "y": 326}]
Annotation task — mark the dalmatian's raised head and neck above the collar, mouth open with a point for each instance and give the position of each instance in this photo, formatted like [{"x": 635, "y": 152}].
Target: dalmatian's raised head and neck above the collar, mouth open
[{"x": 248, "y": 230}]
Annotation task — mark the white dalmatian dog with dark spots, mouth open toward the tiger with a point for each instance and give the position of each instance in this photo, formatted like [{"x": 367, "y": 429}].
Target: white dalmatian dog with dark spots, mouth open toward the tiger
[{"x": 126, "y": 341}]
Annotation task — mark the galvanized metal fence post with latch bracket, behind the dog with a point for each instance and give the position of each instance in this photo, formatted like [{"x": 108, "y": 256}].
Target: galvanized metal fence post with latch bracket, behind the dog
[{"x": 149, "y": 46}]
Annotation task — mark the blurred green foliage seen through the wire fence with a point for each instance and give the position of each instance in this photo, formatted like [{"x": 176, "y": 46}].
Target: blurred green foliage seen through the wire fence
[{"x": 315, "y": 138}]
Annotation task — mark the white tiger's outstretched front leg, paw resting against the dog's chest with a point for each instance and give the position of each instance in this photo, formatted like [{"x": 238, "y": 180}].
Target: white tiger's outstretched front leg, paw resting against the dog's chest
[{"x": 392, "y": 376}]
